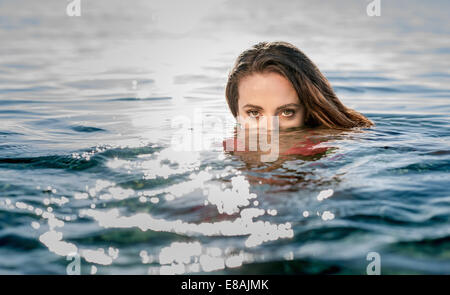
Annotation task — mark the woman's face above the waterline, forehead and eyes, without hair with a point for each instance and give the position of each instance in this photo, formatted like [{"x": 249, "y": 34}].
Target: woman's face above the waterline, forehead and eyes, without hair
[{"x": 263, "y": 95}]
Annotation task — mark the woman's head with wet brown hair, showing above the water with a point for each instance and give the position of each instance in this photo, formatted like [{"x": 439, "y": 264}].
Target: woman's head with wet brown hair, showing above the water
[{"x": 277, "y": 79}]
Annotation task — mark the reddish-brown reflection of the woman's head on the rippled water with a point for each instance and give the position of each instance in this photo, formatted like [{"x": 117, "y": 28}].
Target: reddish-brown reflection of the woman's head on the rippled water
[{"x": 305, "y": 145}]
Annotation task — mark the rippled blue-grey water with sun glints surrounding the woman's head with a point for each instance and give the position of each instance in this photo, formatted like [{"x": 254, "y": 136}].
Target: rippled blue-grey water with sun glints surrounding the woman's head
[{"x": 88, "y": 163}]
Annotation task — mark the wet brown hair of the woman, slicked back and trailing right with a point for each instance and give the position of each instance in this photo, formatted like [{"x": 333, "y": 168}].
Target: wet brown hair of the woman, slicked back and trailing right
[{"x": 322, "y": 106}]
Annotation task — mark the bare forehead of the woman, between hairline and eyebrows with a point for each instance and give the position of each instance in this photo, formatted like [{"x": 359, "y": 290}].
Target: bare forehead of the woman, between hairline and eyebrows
[{"x": 266, "y": 89}]
